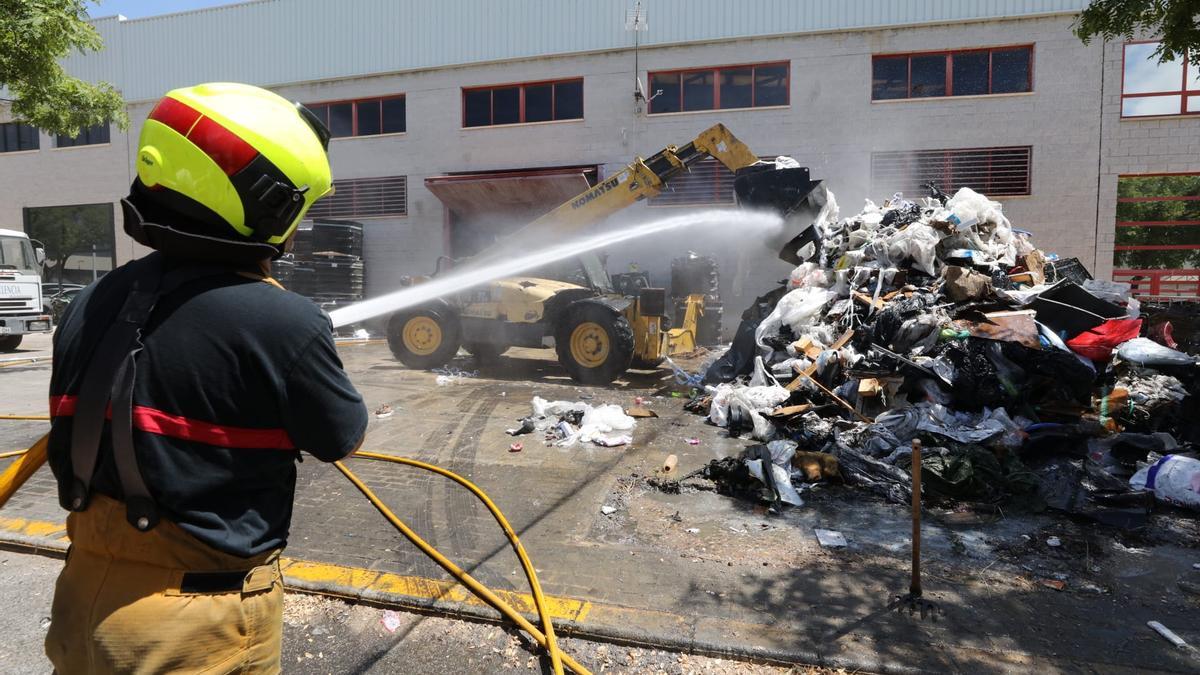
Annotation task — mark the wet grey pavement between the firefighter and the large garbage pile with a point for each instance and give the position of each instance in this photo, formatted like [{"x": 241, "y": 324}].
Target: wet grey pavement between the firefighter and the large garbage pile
[{"x": 698, "y": 571}]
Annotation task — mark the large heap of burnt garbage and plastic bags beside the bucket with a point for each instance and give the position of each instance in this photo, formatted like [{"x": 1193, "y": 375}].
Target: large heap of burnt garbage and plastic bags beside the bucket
[{"x": 937, "y": 320}]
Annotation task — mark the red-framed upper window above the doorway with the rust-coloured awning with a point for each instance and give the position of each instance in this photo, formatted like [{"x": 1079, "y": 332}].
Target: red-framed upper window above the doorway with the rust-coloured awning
[{"x": 518, "y": 104}]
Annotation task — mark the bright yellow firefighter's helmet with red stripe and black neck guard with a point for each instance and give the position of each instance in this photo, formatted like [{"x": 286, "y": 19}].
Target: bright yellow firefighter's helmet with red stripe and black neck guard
[{"x": 226, "y": 172}]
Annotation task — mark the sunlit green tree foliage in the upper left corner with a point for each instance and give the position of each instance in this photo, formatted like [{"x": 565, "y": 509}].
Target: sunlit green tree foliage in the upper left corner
[{"x": 34, "y": 37}]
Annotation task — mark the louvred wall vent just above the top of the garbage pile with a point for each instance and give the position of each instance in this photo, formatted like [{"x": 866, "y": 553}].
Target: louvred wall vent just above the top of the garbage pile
[{"x": 997, "y": 172}]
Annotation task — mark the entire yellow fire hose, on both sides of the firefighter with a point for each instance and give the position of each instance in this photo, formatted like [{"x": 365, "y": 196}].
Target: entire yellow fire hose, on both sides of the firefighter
[{"x": 29, "y": 462}]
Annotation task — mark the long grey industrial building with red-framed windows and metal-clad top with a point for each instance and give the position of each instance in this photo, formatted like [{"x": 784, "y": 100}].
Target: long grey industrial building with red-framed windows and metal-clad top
[{"x": 454, "y": 118}]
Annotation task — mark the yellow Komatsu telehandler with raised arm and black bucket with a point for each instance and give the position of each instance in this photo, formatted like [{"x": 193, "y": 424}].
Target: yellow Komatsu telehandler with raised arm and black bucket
[{"x": 598, "y": 333}]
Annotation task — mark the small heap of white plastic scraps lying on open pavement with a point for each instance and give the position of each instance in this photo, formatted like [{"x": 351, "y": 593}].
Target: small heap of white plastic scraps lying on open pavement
[{"x": 566, "y": 423}]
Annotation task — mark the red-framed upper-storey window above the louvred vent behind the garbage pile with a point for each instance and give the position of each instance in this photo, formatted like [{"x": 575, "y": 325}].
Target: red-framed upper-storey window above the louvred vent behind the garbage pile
[{"x": 1003, "y": 70}]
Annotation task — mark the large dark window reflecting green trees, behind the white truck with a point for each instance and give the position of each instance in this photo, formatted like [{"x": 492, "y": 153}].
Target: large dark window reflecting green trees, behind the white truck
[{"x": 70, "y": 231}]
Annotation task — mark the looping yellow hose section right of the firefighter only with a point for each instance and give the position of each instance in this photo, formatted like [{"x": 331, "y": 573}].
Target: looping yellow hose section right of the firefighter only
[{"x": 544, "y": 640}]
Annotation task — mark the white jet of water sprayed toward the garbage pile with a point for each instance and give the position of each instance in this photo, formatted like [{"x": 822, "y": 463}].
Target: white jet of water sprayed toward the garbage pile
[{"x": 754, "y": 224}]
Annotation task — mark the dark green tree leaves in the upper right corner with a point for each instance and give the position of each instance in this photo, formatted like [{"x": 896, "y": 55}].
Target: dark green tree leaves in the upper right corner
[{"x": 1175, "y": 22}]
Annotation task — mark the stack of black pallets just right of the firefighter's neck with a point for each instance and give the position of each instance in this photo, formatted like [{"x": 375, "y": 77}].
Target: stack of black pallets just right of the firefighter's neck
[{"x": 326, "y": 264}]
